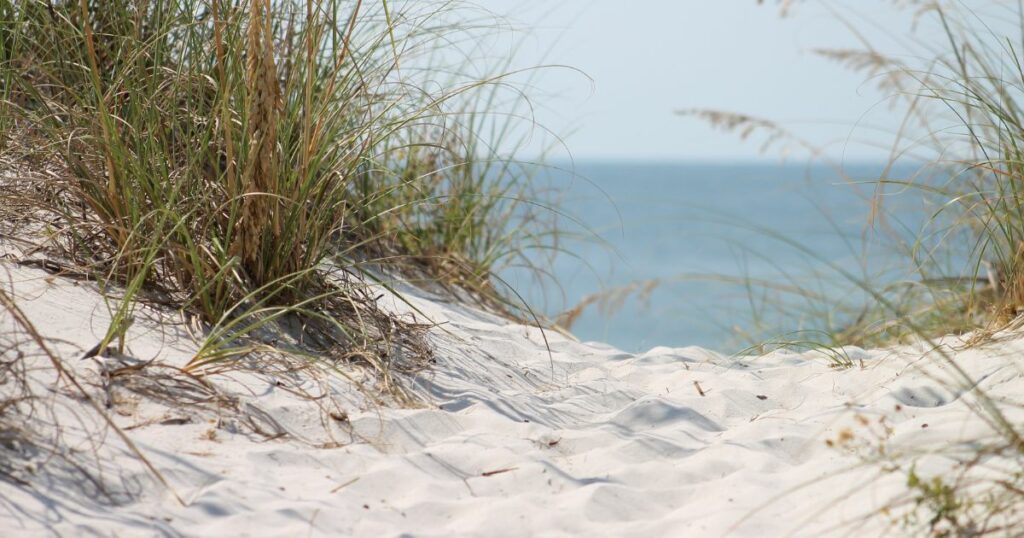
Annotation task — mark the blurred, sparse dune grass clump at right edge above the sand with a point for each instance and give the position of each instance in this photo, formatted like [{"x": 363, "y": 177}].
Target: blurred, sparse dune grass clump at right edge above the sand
[{"x": 963, "y": 127}]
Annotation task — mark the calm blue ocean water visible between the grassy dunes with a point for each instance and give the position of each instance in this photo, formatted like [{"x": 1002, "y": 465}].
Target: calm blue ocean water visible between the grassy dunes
[{"x": 717, "y": 255}]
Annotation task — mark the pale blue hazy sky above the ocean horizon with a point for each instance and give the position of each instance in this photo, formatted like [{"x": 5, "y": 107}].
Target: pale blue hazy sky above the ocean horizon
[{"x": 651, "y": 58}]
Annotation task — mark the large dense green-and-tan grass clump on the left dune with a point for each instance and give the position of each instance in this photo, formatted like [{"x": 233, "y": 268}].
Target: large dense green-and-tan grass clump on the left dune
[{"x": 219, "y": 153}]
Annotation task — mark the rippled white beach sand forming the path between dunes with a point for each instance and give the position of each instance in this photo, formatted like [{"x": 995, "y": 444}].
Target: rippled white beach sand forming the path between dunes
[{"x": 590, "y": 441}]
